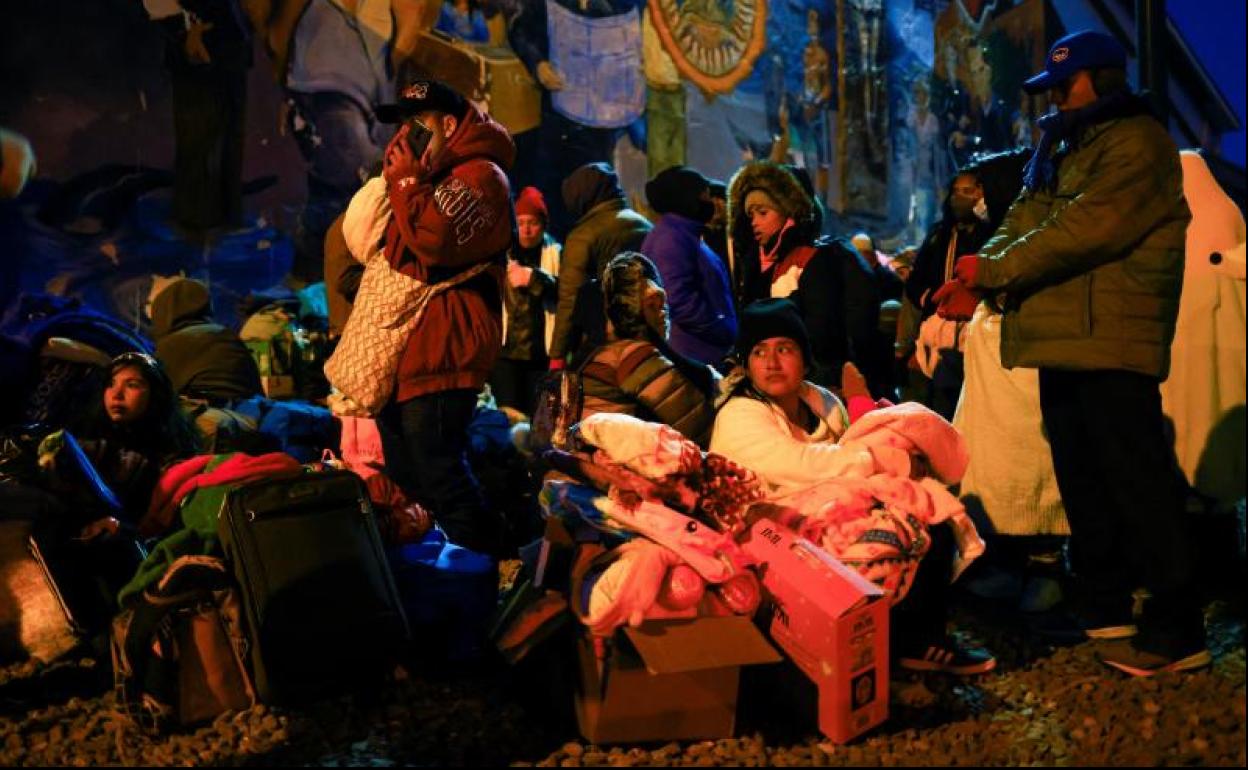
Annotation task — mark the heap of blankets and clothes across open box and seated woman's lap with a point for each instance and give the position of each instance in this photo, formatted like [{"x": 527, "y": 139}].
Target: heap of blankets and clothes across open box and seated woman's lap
[{"x": 668, "y": 517}]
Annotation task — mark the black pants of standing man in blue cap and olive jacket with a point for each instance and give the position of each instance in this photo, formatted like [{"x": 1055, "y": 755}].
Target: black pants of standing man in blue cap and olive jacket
[{"x": 1124, "y": 500}]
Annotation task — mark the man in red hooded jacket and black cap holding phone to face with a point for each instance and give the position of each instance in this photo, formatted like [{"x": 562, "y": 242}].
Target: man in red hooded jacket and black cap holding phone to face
[{"x": 452, "y": 215}]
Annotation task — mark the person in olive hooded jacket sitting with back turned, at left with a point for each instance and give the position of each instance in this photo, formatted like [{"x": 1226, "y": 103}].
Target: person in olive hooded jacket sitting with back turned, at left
[{"x": 203, "y": 359}]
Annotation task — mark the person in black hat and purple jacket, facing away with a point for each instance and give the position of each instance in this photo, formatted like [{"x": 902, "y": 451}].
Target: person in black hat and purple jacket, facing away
[{"x": 700, "y": 291}]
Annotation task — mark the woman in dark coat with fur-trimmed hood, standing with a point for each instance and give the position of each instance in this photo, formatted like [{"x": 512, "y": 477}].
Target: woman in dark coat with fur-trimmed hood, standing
[{"x": 774, "y": 225}]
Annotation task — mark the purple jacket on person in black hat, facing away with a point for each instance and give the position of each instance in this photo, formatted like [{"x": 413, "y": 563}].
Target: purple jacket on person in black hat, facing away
[{"x": 700, "y": 293}]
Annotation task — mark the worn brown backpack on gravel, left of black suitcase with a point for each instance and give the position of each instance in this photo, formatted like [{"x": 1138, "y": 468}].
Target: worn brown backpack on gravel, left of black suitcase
[{"x": 179, "y": 651}]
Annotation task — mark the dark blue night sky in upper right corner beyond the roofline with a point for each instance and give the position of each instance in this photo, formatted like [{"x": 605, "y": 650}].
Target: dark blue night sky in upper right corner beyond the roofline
[{"x": 1215, "y": 29}]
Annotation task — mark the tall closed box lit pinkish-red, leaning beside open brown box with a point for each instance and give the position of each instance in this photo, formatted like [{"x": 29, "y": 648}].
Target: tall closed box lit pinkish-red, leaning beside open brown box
[{"x": 832, "y": 622}]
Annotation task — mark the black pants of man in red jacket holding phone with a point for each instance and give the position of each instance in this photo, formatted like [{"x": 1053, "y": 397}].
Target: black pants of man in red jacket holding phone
[{"x": 436, "y": 437}]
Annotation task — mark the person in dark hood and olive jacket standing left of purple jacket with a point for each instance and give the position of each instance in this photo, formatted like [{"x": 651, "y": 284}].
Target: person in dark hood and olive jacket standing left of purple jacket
[{"x": 605, "y": 228}]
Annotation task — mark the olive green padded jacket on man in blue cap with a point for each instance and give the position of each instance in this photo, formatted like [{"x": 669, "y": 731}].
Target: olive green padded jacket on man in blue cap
[{"x": 1090, "y": 274}]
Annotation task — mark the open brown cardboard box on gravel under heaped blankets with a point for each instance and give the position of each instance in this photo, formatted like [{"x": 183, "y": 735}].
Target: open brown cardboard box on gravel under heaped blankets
[{"x": 667, "y": 681}]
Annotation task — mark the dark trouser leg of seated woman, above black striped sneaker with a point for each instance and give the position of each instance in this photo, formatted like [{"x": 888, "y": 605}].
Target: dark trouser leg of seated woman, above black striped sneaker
[{"x": 919, "y": 621}]
